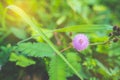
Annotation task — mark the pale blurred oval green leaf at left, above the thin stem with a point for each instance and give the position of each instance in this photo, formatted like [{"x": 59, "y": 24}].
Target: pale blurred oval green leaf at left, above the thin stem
[{"x": 19, "y": 33}]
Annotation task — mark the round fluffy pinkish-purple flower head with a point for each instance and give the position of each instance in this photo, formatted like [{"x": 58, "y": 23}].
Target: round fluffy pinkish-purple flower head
[{"x": 80, "y": 42}]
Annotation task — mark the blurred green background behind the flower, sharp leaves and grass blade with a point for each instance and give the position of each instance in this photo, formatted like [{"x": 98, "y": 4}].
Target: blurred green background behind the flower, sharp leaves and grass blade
[{"x": 54, "y": 14}]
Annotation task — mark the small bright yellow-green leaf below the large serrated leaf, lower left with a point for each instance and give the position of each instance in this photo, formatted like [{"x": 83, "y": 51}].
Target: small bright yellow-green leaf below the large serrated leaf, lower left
[{"x": 21, "y": 60}]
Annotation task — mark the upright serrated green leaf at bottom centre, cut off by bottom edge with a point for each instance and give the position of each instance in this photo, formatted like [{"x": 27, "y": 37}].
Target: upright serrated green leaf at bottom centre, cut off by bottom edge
[{"x": 57, "y": 69}]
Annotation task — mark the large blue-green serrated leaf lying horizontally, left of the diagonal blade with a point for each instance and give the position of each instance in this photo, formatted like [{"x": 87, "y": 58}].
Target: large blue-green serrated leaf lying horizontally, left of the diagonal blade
[{"x": 35, "y": 49}]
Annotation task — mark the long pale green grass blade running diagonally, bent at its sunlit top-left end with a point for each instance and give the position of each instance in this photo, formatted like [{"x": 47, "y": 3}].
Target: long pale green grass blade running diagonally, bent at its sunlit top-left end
[{"x": 26, "y": 18}]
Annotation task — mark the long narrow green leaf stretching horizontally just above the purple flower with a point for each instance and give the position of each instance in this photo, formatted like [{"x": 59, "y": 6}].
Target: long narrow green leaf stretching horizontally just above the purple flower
[{"x": 85, "y": 28}]
